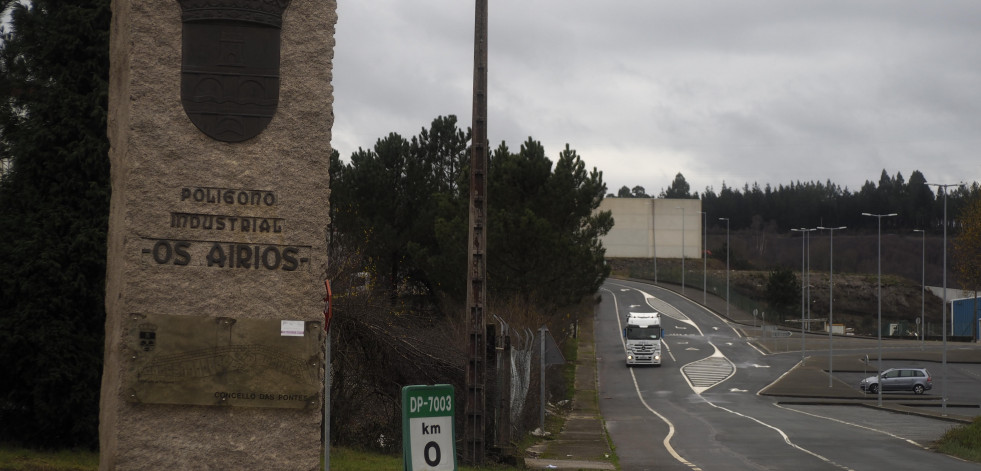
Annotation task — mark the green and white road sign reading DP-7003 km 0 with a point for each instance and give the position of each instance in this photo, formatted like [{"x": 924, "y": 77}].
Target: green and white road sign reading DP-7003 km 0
[{"x": 428, "y": 436}]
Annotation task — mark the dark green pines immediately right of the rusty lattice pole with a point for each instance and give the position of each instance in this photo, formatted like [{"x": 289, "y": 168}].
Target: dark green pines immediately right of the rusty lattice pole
[{"x": 543, "y": 232}]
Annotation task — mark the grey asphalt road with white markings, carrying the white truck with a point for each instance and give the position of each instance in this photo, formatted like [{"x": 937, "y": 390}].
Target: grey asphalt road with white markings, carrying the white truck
[{"x": 701, "y": 409}]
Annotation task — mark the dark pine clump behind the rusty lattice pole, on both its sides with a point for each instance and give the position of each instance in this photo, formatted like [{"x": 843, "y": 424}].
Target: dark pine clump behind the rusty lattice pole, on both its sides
[{"x": 404, "y": 205}]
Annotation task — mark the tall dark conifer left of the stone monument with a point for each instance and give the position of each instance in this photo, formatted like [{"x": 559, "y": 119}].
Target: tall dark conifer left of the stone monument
[{"x": 54, "y": 204}]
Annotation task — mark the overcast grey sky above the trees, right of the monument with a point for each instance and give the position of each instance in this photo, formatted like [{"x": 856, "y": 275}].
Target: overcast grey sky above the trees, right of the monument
[{"x": 730, "y": 92}]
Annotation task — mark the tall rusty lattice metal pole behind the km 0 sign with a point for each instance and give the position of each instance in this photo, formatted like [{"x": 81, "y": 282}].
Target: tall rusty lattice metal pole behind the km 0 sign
[{"x": 476, "y": 275}]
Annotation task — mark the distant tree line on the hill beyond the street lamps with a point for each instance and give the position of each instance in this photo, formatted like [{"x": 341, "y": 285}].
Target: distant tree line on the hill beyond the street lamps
[{"x": 917, "y": 206}]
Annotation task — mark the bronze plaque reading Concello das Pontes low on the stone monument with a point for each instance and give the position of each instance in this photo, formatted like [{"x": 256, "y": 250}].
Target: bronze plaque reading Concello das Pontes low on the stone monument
[{"x": 220, "y": 361}]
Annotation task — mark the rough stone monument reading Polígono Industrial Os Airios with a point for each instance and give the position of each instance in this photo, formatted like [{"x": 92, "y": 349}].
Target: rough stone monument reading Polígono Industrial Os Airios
[{"x": 220, "y": 113}]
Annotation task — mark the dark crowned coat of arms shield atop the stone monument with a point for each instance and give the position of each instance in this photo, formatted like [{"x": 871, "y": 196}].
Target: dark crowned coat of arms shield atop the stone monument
[{"x": 230, "y": 65}]
